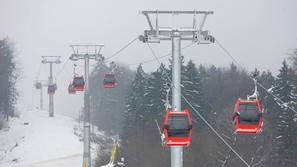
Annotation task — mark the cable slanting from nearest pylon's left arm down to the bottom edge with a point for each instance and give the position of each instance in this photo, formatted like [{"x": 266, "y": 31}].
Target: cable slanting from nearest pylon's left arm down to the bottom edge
[{"x": 201, "y": 117}]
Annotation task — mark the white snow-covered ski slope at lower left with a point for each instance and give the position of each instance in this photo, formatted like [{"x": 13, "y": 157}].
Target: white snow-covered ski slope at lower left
[{"x": 44, "y": 142}]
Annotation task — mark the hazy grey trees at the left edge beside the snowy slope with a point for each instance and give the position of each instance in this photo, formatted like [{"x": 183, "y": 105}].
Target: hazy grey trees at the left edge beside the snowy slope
[{"x": 9, "y": 75}]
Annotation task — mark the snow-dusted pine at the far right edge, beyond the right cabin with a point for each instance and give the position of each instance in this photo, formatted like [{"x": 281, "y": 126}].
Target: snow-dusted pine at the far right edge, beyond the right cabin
[{"x": 286, "y": 139}]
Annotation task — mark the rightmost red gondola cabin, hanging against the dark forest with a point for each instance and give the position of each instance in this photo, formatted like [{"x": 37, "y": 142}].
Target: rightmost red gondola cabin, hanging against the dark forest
[{"x": 248, "y": 116}]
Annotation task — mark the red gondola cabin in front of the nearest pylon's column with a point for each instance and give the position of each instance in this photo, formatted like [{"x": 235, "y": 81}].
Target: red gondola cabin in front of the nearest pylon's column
[{"x": 177, "y": 128}]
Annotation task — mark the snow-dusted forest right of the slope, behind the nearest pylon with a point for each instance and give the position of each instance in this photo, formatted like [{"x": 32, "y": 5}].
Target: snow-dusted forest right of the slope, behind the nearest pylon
[{"x": 140, "y": 99}]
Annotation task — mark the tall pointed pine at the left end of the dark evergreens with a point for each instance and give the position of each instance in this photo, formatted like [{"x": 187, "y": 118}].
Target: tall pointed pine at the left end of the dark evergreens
[{"x": 133, "y": 132}]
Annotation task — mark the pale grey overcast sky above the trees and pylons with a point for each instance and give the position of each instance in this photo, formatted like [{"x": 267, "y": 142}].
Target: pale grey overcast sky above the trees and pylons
[{"x": 258, "y": 33}]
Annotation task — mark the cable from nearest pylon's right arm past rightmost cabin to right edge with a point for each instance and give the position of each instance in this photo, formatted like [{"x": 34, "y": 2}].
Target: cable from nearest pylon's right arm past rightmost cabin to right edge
[{"x": 269, "y": 92}]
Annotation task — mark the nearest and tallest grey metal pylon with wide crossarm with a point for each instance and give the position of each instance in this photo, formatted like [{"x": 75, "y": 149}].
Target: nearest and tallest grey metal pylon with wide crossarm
[{"x": 176, "y": 34}]
